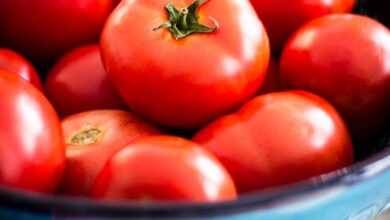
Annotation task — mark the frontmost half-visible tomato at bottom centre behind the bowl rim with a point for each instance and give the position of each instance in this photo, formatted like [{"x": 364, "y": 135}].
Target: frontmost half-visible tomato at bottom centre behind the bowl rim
[{"x": 164, "y": 168}]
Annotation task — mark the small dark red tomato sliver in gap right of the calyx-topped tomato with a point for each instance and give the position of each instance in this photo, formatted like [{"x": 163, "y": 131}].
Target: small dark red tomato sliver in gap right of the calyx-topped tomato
[{"x": 271, "y": 81}]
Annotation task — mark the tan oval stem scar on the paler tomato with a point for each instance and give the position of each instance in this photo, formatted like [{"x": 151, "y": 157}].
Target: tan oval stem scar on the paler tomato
[{"x": 86, "y": 136}]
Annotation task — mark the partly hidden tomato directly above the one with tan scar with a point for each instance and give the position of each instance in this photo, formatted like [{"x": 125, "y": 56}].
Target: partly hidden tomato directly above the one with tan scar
[{"x": 78, "y": 82}]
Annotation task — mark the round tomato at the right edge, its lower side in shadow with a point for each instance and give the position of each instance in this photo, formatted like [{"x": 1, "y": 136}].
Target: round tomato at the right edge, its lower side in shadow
[{"x": 346, "y": 59}]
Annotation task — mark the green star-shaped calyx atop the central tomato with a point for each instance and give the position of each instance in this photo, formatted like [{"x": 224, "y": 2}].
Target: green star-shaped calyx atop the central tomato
[{"x": 184, "y": 22}]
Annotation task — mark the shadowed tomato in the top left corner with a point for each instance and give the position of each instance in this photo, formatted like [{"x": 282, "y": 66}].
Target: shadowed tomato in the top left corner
[{"x": 45, "y": 29}]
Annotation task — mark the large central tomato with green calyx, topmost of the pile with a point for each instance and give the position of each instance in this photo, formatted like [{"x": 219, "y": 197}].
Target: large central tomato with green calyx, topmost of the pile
[{"x": 175, "y": 74}]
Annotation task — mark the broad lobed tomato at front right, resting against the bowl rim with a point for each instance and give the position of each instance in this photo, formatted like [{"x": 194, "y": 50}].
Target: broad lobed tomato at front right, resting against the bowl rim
[{"x": 279, "y": 138}]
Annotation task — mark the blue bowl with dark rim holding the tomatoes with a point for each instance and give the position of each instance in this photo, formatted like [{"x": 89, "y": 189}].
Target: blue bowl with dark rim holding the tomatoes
[{"x": 358, "y": 192}]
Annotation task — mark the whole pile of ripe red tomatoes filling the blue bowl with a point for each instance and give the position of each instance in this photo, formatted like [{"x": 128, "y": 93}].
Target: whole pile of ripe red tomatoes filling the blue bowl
[{"x": 194, "y": 100}]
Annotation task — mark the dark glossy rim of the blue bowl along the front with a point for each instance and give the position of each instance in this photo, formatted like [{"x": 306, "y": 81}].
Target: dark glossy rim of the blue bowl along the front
[{"x": 361, "y": 171}]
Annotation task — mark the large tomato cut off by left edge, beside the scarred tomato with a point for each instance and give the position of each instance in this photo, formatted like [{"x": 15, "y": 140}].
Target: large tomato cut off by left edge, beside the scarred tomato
[{"x": 32, "y": 151}]
